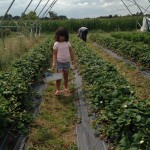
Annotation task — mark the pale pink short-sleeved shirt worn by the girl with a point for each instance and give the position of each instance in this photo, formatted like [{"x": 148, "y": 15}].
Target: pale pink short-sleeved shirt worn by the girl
[{"x": 63, "y": 53}]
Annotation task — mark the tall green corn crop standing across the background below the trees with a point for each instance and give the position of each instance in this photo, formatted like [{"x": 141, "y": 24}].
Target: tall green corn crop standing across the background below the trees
[{"x": 105, "y": 24}]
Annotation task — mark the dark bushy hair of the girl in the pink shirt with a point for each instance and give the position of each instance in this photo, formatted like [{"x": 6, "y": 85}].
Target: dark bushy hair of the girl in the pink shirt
[{"x": 61, "y": 32}]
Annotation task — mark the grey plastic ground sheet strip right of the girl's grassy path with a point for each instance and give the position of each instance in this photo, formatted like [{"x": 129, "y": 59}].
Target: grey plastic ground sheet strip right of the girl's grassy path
[{"x": 85, "y": 134}]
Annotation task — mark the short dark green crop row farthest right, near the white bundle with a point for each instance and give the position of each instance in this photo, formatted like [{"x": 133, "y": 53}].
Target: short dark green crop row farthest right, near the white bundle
[{"x": 133, "y": 36}]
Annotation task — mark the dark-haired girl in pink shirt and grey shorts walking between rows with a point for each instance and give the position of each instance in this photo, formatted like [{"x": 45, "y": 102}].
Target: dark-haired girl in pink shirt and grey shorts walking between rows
[{"x": 61, "y": 58}]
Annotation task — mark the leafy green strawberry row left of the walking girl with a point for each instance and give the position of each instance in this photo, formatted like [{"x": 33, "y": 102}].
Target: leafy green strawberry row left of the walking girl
[{"x": 16, "y": 105}]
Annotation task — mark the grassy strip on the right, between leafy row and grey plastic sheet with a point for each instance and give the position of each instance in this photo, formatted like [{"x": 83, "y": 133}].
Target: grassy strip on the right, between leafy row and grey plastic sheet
[{"x": 140, "y": 84}]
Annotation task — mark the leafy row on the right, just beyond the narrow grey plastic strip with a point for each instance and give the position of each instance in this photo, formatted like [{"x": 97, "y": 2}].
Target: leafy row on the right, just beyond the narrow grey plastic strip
[{"x": 136, "y": 52}]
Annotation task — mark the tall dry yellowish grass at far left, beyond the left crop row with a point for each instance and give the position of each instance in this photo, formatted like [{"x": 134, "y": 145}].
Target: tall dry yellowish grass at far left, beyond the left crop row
[{"x": 15, "y": 46}]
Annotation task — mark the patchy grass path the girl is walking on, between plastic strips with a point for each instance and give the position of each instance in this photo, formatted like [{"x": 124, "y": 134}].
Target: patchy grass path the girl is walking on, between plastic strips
[{"x": 54, "y": 127}]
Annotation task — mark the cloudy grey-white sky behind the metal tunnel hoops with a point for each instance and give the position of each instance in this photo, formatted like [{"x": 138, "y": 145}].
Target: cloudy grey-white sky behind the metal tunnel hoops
[{"x": 75, "y": 8}]
